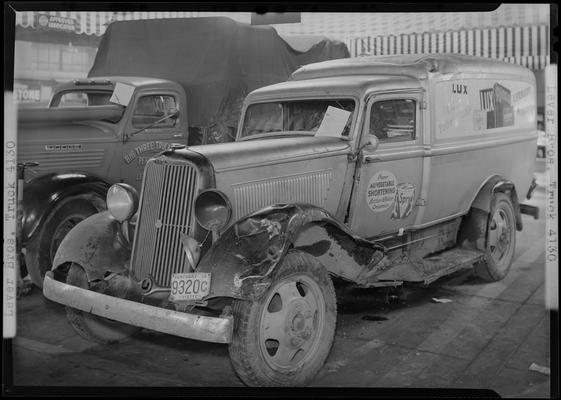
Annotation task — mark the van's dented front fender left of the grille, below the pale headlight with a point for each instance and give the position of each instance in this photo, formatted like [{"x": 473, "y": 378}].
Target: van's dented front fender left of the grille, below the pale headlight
[{"x": 96, "y": 244}]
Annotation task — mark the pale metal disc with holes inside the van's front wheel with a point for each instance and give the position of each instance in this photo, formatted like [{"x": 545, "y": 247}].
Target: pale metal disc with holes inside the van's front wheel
[{"x": 291, "y": 322}]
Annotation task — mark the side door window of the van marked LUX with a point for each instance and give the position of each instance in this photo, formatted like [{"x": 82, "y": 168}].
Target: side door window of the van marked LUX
[{"x": 393, "y": 120}]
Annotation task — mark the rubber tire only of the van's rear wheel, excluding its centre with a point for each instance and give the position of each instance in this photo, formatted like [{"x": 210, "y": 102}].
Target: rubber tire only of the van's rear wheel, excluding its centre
[{"x": 490, "y": 270}]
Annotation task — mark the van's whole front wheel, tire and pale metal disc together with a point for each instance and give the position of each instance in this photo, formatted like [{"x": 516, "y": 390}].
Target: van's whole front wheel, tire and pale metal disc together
[{"x": 284, "y": 339}]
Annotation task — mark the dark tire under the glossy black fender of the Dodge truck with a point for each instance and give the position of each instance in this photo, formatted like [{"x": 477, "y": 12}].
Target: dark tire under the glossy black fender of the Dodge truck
[{"x": 39, "y": 256}]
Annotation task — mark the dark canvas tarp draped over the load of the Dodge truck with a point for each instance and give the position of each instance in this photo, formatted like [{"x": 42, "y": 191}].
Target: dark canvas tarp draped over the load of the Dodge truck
[{"x": 218, "y": 61}]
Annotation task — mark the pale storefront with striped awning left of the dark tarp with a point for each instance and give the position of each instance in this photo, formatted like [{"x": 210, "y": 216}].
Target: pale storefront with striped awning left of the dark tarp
[{"x": 54, "y": 47}]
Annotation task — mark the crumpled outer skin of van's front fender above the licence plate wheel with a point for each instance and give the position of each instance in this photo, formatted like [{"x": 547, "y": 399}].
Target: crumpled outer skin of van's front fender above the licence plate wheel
[{"x": 243, "y": 260}]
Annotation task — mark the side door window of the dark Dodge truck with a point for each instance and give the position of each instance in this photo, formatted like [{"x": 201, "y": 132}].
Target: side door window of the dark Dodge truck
[{"x": 152, "y": 108}]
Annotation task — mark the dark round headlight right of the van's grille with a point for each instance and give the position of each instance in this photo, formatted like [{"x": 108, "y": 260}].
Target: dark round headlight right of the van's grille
[{"x": 212, "y": 210}]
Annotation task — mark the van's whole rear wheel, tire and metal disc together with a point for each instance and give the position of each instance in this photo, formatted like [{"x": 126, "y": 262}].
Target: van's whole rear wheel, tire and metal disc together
[{"x": 501, "y": 241}]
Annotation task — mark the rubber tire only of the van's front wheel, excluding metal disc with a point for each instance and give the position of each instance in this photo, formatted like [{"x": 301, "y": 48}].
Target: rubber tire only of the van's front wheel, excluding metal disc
[{"x": 245, "y": 353}]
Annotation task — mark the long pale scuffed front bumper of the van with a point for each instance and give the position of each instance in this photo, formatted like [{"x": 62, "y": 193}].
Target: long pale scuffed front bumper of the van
[{"x": 191, "y": 326}]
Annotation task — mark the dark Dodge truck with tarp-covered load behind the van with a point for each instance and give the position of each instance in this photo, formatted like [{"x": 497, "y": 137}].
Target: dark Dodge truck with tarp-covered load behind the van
[{"x": 185, "y": 83}]
